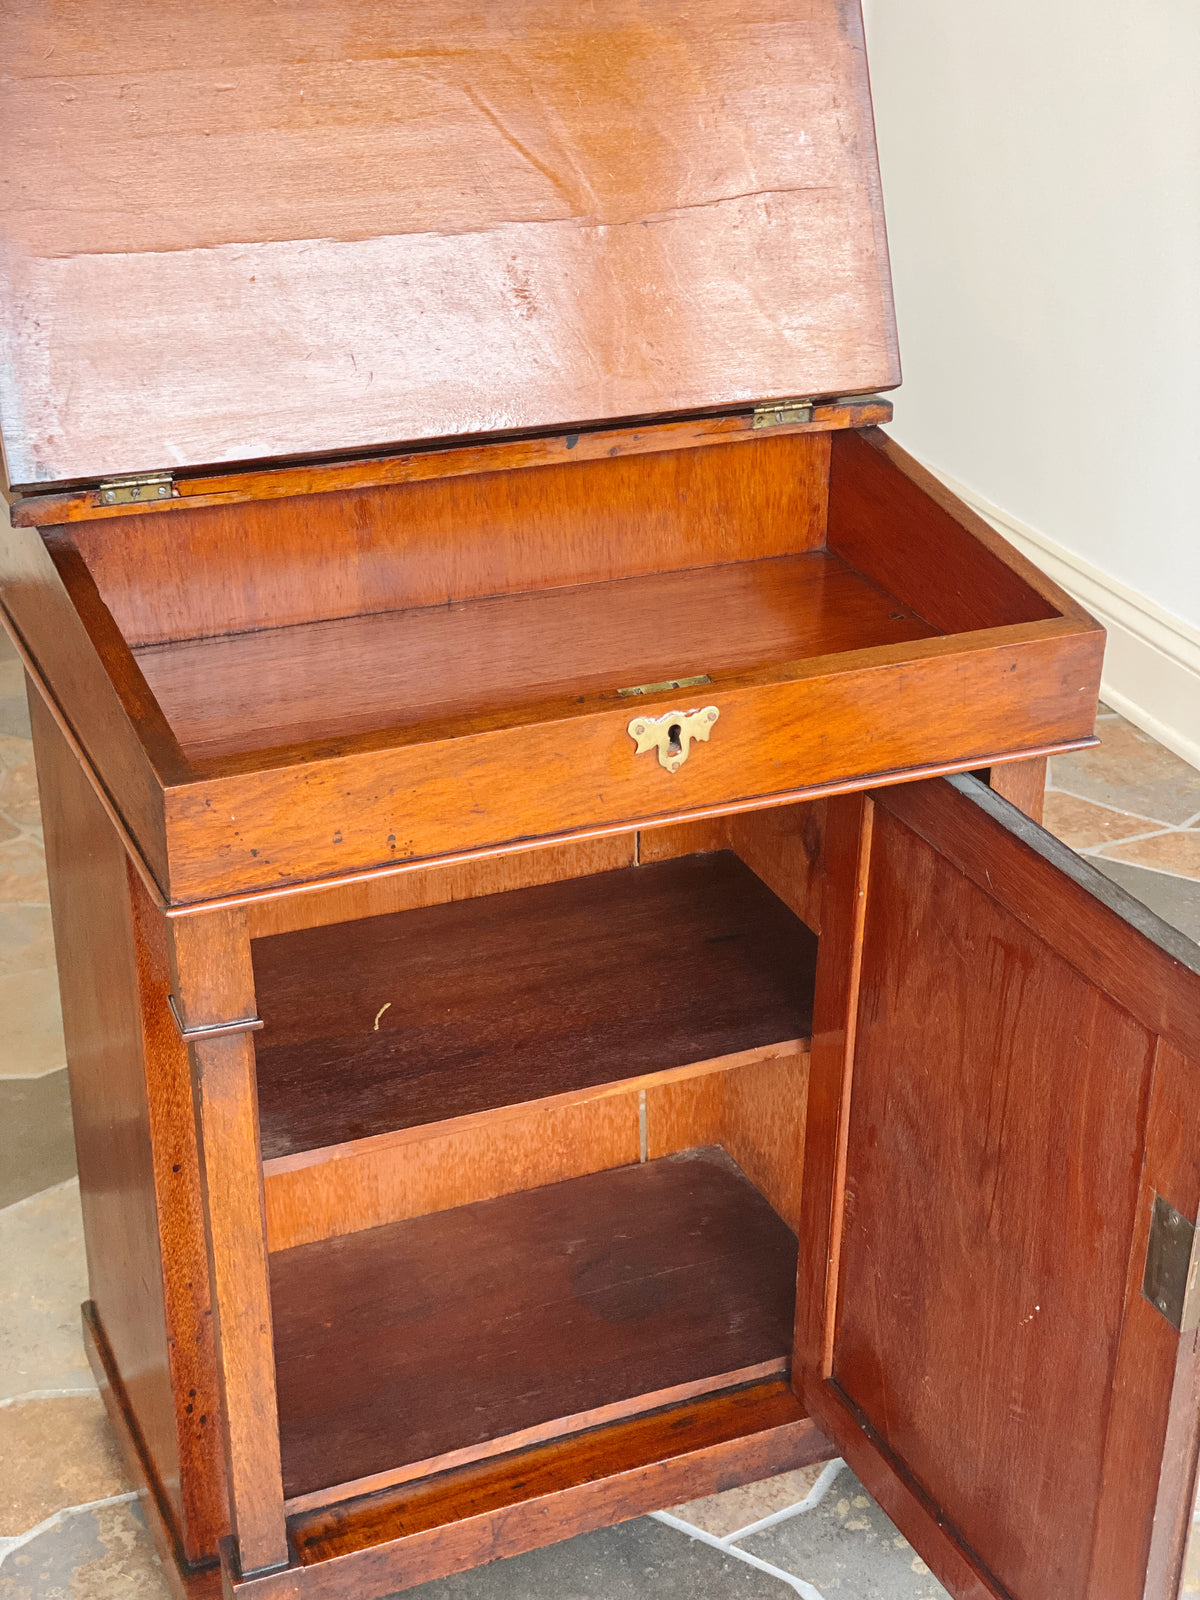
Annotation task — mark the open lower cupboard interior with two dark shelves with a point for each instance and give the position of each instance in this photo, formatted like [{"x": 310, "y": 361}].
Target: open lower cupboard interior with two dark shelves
[{"x": 532, "y": 1159}]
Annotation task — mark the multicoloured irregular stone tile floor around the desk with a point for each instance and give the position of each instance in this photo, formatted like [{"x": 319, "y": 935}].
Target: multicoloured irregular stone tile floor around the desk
[{"x": 70, "y": 1524}]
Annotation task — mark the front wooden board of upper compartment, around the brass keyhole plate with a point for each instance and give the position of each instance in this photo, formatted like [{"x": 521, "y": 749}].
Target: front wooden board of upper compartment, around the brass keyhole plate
[{"x": 510, "y": 778}]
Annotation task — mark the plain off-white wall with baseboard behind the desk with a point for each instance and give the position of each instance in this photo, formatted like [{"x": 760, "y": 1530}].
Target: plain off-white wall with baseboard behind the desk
[{"x": 1042, "y": 183}]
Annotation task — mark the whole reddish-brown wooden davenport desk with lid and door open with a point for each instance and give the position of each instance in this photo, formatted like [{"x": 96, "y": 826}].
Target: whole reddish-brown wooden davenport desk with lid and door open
[{"x": 550, "y": 1033}]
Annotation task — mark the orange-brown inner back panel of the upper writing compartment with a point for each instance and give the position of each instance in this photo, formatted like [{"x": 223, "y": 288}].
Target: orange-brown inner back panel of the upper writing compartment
[{"x": 270, "y": 564}]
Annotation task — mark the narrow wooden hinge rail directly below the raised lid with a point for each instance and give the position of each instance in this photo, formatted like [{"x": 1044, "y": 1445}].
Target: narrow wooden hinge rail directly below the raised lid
[{"x": 500, "y": 455}]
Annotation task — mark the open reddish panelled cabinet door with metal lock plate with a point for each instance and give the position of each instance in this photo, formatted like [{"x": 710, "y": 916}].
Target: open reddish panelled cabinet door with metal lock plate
[{"x": 1004, "y": 1126}]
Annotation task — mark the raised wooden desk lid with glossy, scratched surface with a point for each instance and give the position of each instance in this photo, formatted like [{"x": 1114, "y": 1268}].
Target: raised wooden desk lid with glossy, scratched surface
[{"x": 252, "y": 230}]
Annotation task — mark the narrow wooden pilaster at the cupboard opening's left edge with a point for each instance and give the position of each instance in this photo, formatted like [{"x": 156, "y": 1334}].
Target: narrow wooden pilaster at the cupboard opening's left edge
[{"x": 214, "y": 985}]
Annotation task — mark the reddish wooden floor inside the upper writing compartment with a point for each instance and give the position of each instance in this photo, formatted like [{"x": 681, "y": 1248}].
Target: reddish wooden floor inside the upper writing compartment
[{"x": 398, "y": 670}]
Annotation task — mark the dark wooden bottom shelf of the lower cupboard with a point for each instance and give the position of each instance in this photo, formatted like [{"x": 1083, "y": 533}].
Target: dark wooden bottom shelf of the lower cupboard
[{"x": 449, "y": 1338}]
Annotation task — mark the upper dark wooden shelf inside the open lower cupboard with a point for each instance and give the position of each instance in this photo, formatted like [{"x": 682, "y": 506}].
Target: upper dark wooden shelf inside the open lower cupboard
[{"x": 415, "y": 1018}]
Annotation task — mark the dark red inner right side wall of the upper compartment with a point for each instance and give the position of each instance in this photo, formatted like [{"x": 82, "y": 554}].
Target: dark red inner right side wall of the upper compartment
[{"x": 895, "y": 521}]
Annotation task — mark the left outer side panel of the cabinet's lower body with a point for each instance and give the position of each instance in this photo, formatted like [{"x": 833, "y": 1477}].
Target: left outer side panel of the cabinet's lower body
[{"x": 137, "y": 1148}]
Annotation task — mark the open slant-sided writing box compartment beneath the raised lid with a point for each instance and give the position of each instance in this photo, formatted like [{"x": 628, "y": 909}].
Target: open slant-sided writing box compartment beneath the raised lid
[{"x": 306, "y": 686}]
